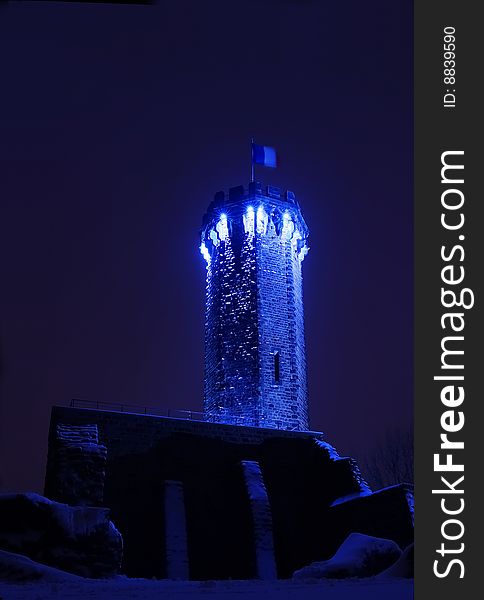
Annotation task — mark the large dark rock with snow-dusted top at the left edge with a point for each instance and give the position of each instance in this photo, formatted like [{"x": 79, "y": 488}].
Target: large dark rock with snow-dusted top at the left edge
[{"x": 77, "y": 539}]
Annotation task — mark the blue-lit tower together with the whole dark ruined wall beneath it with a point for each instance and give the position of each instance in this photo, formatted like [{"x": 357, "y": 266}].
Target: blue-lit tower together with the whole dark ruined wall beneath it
[{"x": 248, "y": 491}]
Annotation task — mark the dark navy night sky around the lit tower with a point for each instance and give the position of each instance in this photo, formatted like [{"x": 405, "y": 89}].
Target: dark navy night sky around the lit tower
[{"x": 119, "y": 123}]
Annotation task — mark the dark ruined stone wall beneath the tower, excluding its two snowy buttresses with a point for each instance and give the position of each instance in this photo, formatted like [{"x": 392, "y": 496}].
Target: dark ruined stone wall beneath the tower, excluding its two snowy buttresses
[{"x": 302, "y": 474}]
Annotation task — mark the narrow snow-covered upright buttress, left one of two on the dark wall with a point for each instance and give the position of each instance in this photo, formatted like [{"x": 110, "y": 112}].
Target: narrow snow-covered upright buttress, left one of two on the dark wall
[{"x": 177, "y": 565}]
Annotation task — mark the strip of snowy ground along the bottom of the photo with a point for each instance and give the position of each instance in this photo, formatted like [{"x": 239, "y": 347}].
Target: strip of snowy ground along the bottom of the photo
[{"x": 122, "y": 588}]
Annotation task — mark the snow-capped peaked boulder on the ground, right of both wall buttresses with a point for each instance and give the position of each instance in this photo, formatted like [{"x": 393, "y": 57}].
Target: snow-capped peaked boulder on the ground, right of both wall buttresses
[{"x": 358, "y": 556}]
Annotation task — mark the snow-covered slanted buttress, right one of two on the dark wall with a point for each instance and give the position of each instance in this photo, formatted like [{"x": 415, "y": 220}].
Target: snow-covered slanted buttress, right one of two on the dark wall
[{"x": 262, "y": 520}]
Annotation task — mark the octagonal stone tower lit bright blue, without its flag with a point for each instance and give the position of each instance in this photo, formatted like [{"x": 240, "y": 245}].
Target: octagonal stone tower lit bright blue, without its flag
[{"x": 254, "y": 242}]
